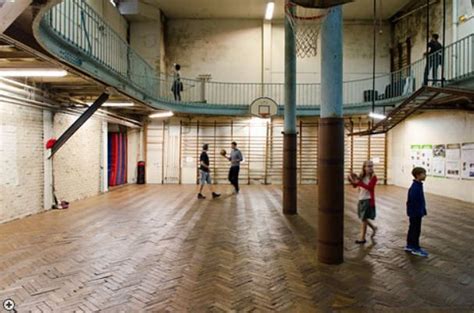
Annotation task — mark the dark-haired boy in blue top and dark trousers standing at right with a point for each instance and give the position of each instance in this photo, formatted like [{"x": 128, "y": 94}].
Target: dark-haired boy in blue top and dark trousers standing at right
[{"x": 416, "y": 209}]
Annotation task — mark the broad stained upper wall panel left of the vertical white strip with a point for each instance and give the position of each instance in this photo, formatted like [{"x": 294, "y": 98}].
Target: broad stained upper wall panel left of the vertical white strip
[{"x": 228, "y": 49}]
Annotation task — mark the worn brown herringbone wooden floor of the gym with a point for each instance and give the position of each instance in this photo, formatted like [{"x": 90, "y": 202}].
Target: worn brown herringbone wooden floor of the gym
[{"x": 159, "y": 249}]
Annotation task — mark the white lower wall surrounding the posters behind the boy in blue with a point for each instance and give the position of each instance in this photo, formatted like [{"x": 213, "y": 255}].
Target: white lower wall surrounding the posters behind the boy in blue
[{"x": 430, "y": 128}]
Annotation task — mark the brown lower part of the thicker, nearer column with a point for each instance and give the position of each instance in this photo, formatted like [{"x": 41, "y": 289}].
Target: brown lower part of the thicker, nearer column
[{"x": 331, "y": 191}]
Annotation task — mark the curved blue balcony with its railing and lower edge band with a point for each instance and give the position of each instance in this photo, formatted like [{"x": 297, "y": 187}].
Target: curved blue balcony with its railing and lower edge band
[{"x": 75, "y": 33}]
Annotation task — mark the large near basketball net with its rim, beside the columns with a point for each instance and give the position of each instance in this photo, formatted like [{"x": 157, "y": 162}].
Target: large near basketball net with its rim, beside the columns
[{"x": 306, "y": 24}]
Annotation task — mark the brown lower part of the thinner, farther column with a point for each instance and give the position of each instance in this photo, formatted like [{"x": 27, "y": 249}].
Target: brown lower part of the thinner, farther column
[{"x": 290, "y": 142}]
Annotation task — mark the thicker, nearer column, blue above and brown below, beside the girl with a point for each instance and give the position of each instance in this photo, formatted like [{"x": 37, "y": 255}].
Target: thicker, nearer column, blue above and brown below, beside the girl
[{"x": 331, "y": 143}]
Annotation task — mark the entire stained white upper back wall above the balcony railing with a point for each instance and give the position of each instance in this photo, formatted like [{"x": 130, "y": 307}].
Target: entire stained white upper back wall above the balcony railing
[{"x": 251, "y": 51}]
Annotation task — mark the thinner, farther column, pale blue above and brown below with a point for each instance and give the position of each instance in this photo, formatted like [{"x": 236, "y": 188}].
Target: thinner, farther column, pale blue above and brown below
[{"x": 290, "y": 133}]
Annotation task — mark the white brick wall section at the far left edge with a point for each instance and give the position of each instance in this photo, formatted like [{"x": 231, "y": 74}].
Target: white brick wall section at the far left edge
[{"x": 21, "y": 161}]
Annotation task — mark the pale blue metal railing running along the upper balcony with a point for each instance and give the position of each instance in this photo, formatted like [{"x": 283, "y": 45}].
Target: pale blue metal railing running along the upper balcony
[{"x": 79, "y": 25}]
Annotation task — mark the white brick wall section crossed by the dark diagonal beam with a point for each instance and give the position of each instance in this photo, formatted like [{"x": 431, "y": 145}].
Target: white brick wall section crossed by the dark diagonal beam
[{"x": 77, "y": 164}]
